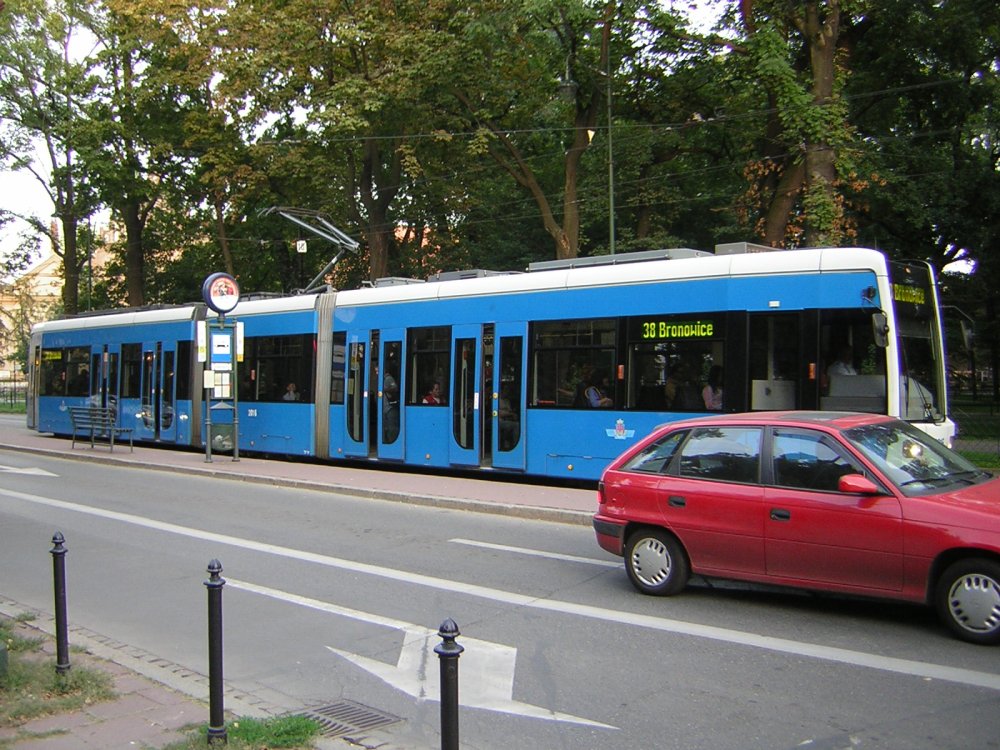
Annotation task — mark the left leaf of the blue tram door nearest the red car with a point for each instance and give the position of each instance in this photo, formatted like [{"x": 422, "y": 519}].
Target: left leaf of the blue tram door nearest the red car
[{"x": 466, "y": 377}]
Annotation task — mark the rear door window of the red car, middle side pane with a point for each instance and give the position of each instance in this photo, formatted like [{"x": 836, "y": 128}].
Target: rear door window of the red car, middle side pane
[{"x": 728, "y": 454}]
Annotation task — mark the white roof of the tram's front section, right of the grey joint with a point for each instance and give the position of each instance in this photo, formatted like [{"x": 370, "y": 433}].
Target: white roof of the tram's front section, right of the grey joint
[{"x": 687, "y": 264}]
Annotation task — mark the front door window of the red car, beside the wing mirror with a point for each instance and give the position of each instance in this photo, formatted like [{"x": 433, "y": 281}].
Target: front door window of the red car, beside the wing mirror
[{"x": 809, "y": 460}]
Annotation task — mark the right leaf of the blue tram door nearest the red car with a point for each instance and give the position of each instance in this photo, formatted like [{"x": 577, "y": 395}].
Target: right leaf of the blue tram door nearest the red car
[{"x": 507, "y": 395}]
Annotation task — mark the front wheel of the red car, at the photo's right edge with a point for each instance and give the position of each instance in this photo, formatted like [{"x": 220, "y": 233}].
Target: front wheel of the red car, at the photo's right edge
[{"x": 967, "y": 598}]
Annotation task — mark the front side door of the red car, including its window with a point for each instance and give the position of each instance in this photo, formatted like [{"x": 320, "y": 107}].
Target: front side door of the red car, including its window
[{"x": 816, "y": 534}]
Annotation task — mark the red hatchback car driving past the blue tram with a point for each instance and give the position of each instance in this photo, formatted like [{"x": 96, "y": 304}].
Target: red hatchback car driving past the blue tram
[{"x": 852, "y": 503}]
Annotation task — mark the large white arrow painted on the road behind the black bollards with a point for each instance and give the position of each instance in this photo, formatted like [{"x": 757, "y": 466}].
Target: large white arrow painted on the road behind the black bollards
[{"x": 487, "y": 668}]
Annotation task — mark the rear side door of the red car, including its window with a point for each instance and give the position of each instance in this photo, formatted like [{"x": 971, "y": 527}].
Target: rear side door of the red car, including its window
[{"x": 714, "y": 501}]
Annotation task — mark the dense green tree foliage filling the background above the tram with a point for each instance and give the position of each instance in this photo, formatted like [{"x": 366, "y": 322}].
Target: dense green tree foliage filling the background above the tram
[{"x": 445, "y": 134}]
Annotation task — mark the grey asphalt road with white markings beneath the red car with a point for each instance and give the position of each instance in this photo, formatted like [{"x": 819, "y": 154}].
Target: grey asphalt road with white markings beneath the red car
[{"x": 331, "y": 598}]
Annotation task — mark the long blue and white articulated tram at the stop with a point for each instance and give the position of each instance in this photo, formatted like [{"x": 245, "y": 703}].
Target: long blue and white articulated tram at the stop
[{"x": 550, "y": 373}]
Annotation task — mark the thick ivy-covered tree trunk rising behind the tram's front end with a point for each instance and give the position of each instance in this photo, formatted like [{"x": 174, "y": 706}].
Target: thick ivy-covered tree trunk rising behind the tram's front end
[{"x": 797, "y": 51}]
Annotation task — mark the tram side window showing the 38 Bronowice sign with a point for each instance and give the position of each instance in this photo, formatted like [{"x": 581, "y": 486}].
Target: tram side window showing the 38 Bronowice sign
[{"x": 670, "y": 361}]
